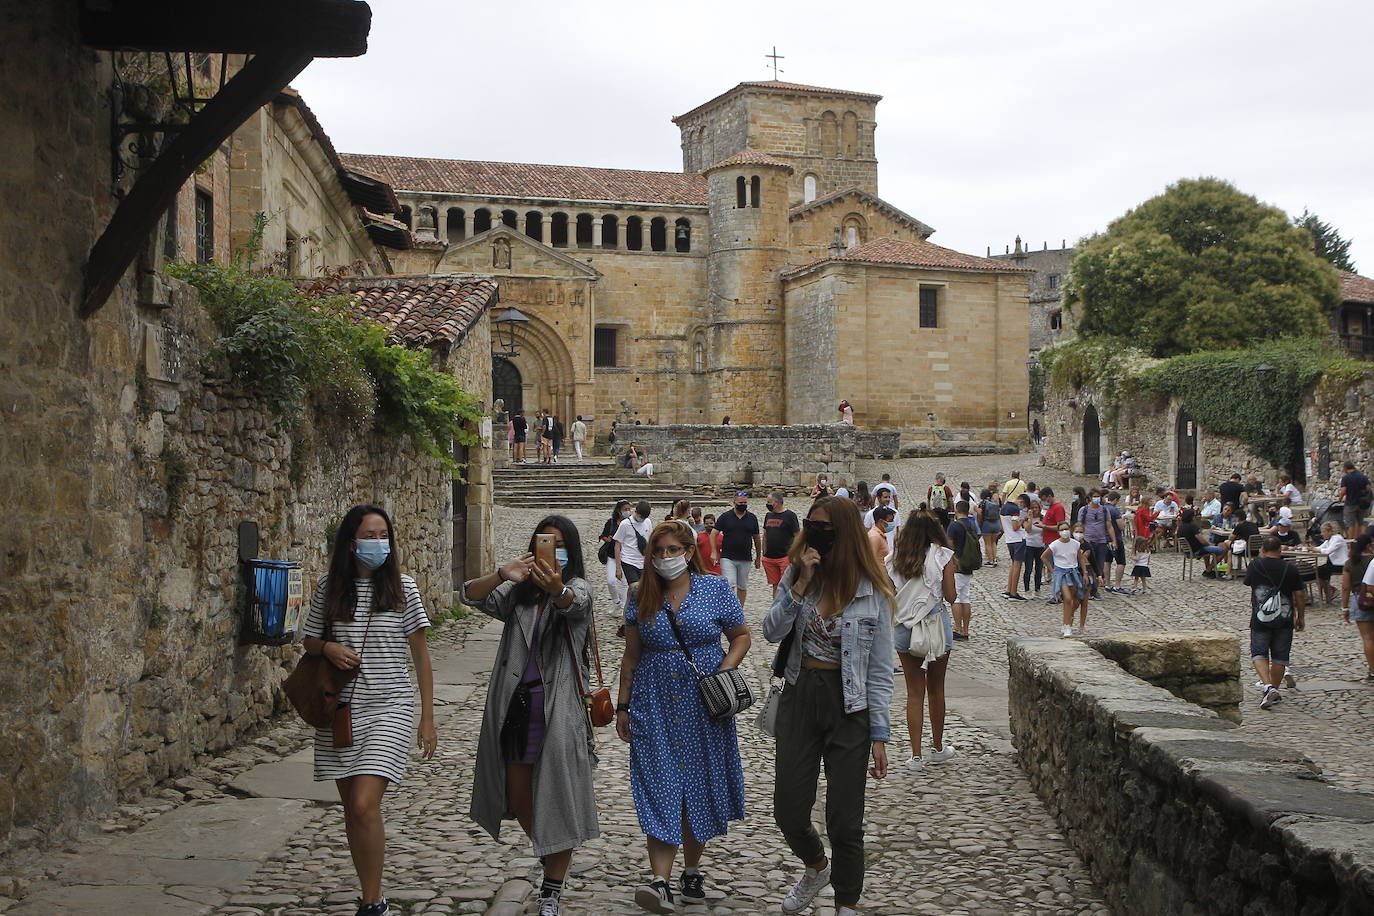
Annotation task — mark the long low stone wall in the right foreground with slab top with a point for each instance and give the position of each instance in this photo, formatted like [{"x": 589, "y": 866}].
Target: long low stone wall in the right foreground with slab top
[{"x": 1174, "y": 812}]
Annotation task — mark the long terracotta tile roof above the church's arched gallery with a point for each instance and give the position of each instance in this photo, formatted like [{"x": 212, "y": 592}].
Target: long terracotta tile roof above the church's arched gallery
[{"x": 531, "y": 181}]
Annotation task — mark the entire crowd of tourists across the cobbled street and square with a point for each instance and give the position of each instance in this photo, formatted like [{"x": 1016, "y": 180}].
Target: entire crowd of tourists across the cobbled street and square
[{"x": 858, "y": 594}]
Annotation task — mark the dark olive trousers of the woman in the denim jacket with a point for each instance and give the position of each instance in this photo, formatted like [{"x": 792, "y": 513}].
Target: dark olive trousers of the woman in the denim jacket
[{"x": 814, "y": 730}]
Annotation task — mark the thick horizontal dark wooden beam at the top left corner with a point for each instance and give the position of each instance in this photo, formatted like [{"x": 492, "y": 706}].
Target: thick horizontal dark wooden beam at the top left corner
[{"x": 314, "y": 28}]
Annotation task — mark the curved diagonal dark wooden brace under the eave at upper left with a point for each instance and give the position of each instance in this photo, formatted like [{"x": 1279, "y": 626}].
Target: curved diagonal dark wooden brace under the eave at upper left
[{"x": 138, "y": 215}]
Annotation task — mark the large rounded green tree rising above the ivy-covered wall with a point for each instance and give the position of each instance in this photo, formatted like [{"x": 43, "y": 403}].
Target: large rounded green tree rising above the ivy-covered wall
[{"x": 1202, "y": 267}]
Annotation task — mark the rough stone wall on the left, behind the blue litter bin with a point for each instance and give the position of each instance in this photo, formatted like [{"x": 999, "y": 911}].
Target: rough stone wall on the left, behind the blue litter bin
[{"x": 124, "y": 472}]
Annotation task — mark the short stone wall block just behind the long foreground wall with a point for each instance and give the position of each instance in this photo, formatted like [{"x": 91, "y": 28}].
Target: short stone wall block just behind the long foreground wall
[{"x": 1202, "y": 667}]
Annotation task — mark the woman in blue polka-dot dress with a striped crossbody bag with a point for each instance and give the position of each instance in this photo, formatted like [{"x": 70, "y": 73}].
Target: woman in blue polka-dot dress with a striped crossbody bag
[{"x": 685, "y": 767}]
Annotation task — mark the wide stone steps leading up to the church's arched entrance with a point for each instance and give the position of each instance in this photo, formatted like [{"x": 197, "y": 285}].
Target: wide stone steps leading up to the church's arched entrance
[{"x": 594, "y": 484}]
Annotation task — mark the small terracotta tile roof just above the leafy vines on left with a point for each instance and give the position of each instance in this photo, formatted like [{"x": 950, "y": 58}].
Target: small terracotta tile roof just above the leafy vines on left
[{"x": 421, "y": 311}]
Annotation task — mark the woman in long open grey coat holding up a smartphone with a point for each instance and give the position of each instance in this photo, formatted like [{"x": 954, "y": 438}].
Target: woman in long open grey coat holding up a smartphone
[{"x": 537, "y": 751}]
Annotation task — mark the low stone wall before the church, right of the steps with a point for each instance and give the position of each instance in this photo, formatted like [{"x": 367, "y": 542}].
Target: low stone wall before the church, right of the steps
[{"x": 761, "y": 457}]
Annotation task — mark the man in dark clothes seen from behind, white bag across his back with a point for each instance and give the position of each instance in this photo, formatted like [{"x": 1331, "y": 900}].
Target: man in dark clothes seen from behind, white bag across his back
[{"x": 1277, "y": 609}]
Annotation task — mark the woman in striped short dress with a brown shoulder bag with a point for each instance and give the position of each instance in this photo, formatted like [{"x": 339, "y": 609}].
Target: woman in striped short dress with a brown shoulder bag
[{"x": 368, "y": 617}]
